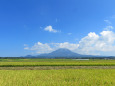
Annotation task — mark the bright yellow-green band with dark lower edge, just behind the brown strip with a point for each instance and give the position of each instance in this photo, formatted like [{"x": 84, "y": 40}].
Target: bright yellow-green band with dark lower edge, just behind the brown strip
[{"x": 58, "y": 63}]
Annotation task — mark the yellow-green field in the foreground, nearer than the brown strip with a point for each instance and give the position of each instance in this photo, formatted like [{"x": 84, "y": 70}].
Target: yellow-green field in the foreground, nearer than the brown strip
[{"x": 69, "y": 77}]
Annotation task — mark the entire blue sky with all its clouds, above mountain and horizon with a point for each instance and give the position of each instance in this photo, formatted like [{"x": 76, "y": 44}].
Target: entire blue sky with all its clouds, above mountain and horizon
[{"x": 42, "y": 26}]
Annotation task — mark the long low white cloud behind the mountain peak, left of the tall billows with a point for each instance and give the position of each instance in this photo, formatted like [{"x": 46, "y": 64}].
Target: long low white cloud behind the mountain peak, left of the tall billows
[{"x": 49, "y": 47}]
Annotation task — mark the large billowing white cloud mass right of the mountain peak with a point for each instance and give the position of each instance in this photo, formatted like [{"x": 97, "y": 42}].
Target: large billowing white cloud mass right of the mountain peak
[{"x": 97, "y": 43}]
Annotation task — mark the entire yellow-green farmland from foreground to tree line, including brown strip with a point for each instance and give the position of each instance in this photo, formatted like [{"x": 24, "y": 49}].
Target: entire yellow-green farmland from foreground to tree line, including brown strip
[{"x": 57, "y": 72}]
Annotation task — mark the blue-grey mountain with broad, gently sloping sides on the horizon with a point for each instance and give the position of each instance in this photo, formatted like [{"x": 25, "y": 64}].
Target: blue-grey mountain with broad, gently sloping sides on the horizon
[{"x": 61, "y": 53}]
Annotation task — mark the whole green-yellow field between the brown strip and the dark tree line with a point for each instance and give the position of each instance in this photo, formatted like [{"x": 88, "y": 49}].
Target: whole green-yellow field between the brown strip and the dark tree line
[{"x": 55, "y": 62}]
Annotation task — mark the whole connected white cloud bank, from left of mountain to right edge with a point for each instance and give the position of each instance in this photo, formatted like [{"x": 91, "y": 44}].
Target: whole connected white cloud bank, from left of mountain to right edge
[{"x": 92, "y": 44}]
